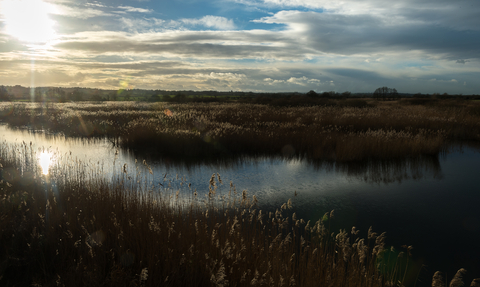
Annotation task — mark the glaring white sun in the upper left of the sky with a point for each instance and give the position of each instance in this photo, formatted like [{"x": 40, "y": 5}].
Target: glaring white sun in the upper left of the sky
[{"x": 28, "y": 20}]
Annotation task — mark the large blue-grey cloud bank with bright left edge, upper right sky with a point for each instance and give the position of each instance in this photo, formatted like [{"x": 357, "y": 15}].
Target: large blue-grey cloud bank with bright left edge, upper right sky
[{"x": 371, "y": 34}]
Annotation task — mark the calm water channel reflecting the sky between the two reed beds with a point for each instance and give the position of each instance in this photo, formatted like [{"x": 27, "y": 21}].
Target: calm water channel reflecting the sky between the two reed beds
[{"x": 431, "y": 203}]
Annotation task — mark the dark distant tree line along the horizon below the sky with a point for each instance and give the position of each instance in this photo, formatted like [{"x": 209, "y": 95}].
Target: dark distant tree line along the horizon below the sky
[{"x": 61, "y": 94}]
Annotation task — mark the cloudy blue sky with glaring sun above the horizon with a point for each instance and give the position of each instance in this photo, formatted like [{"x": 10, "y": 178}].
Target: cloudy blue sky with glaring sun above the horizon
[{"x": 415, "y": 46}]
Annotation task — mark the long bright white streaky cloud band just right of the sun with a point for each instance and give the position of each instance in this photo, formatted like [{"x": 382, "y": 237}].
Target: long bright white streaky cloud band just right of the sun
[{"x": 198, "y": 44}]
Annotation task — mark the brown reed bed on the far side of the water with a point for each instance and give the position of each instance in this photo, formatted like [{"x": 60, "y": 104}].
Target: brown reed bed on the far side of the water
[{"x": 379, "y": 130}]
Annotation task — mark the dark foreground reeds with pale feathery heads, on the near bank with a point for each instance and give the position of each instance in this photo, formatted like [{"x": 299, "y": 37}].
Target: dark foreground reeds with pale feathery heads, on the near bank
[{"x": 73, "y": 227}]
